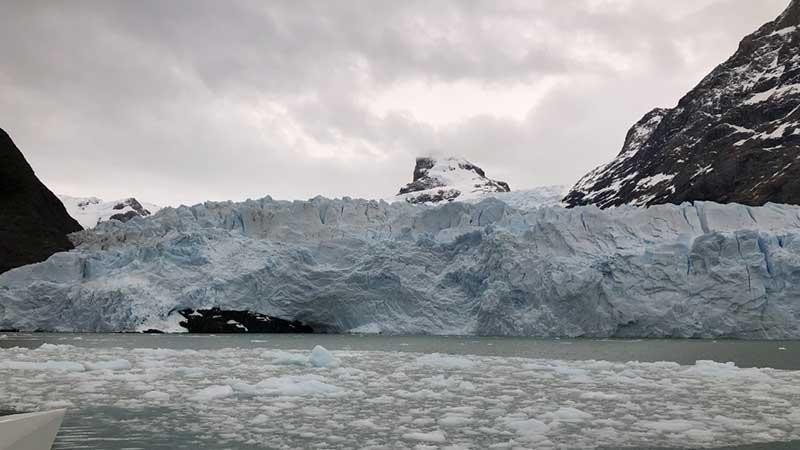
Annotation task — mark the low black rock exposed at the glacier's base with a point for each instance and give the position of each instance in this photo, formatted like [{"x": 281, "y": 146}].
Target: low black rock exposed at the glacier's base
[{"x": 216, "y": 320}]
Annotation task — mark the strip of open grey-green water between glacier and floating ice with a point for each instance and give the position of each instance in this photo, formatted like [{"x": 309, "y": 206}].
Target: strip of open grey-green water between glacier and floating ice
[{"x": 774, "y": 354}]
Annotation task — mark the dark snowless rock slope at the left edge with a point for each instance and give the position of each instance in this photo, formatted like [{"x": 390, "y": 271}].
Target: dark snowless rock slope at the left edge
[{"x": 33, "y": 222}]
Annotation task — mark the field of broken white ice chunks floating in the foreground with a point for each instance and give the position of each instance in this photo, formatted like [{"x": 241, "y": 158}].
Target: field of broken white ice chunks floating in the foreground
[{"x": 259, "y": 398}]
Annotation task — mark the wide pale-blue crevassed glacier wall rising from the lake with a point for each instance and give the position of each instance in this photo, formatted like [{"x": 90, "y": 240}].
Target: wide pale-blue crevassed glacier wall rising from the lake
[{"x": 487, "y": 268}]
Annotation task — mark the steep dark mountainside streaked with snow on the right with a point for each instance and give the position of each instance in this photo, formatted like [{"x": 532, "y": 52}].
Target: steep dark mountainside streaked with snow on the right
[{"x": 733, "y": 138}]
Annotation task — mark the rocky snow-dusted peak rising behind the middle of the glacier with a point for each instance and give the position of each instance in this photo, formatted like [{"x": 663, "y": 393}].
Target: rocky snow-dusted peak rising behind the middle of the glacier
[{"x": 448, "y": 179}]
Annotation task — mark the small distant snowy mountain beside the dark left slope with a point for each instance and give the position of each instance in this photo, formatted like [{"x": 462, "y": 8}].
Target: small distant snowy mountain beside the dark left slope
[{"x": 89, "y": 211}]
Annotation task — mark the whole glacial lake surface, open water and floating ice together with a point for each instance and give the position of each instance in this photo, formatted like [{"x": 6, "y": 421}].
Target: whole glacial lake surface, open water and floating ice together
[{"x": 249, "y": 391}]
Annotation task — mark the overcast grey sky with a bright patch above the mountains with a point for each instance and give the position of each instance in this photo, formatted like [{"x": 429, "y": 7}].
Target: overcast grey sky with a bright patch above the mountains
[{"x": 183, "y": 101}]
